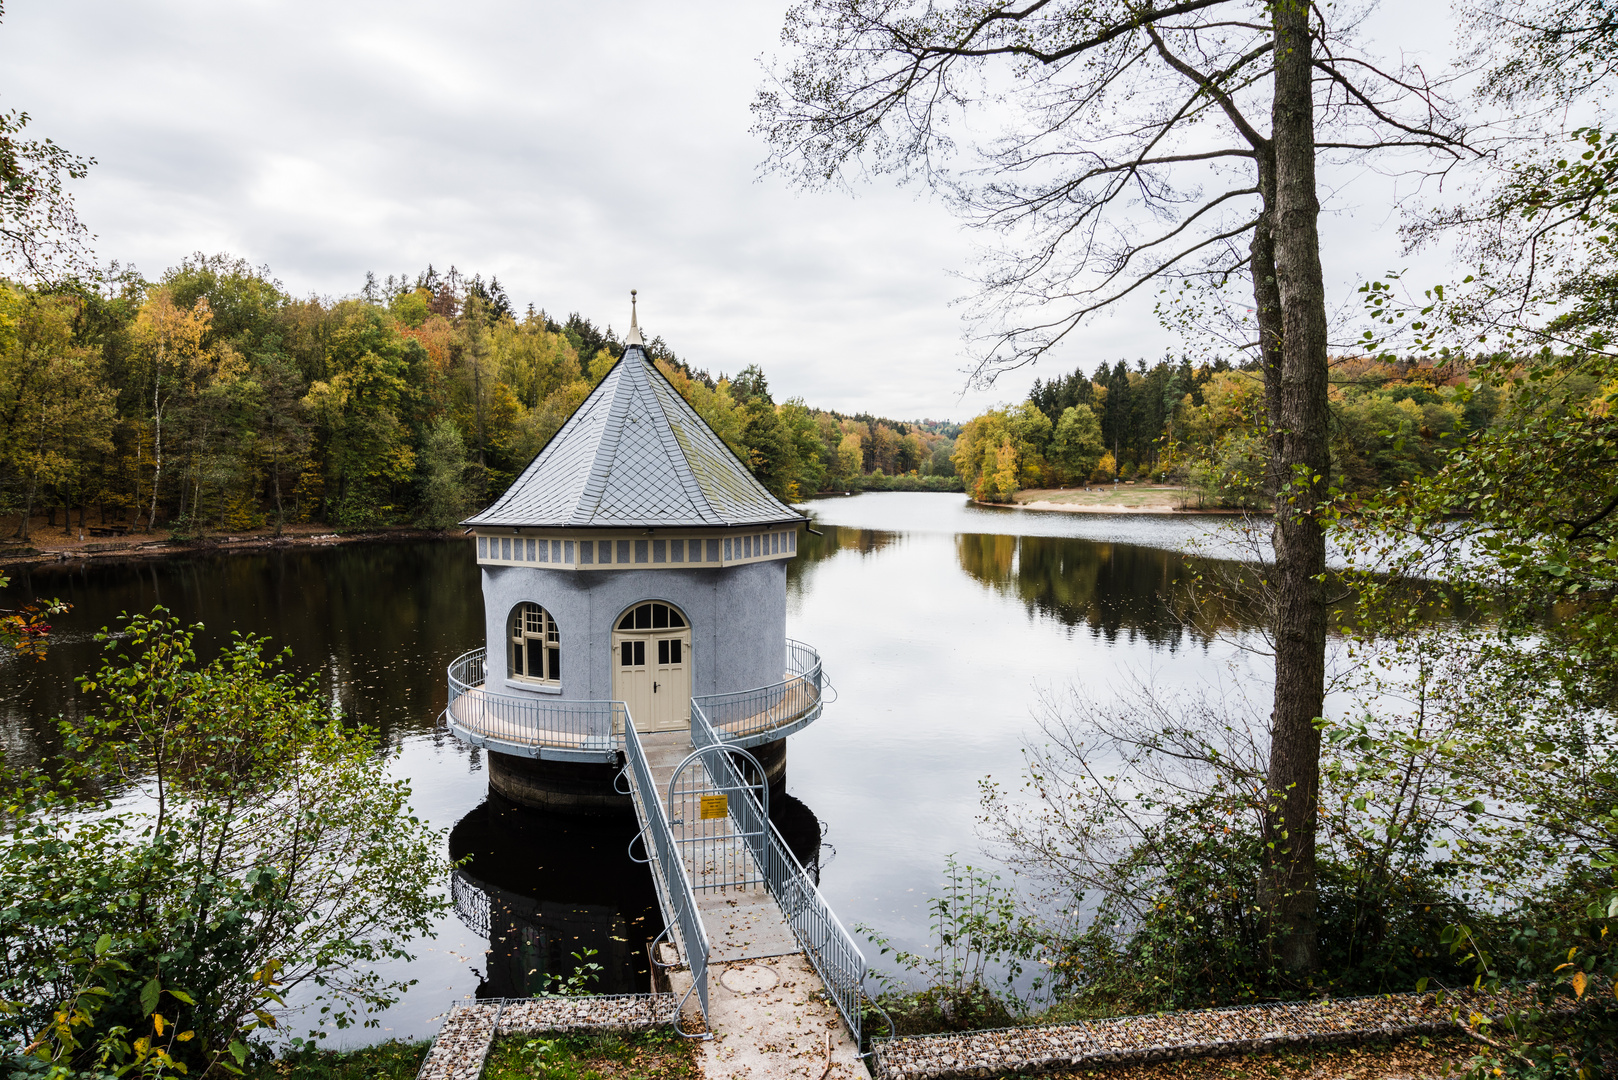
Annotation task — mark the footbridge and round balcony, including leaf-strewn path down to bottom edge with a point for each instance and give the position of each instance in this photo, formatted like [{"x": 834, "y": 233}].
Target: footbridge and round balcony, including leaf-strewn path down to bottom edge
[{"x": 786, "y": 990}]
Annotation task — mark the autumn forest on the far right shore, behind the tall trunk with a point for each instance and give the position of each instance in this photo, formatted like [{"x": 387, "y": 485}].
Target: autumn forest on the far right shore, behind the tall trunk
[{"x": 1205, "y": 428}]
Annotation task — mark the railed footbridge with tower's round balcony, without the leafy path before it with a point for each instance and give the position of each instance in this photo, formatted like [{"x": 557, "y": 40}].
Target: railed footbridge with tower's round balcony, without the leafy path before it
[{"x": 729, "y": 887}]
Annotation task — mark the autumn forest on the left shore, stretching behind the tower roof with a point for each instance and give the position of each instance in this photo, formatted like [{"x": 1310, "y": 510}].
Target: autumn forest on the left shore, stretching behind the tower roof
[{"x": 214, "y": 401}]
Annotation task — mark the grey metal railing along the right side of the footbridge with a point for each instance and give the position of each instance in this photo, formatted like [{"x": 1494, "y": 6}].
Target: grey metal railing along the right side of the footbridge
[{"x": 824, "y": 940}]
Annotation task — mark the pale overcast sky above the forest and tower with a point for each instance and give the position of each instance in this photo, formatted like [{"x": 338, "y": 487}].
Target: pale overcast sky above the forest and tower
[{"x": 572, "y": 150}]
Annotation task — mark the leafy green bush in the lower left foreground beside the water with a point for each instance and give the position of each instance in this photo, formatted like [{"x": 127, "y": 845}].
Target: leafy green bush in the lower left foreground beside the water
[{"x": 218, "y": 844}]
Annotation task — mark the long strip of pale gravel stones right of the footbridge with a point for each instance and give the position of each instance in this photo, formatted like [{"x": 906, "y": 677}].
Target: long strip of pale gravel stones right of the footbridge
[{"x": 1167, "y": 1037}]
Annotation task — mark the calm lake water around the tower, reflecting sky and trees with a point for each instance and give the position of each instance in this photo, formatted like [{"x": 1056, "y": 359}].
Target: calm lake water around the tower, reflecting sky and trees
[{"x": 941, "y": 626}]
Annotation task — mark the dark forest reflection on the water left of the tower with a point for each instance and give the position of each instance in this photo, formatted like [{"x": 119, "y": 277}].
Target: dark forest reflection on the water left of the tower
[{"x": 376, "y": 623}]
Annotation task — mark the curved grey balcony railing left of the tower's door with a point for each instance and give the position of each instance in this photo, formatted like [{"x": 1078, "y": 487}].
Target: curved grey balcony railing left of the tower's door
[{"x": 528, "y": 726}]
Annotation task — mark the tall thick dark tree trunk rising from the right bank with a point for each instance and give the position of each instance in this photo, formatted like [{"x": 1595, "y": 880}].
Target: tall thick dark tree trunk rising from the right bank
[{"x": 1302, "y": 472}]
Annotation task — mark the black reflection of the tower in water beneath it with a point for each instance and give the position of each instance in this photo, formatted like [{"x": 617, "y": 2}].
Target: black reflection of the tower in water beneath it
[{"x": 551, "y": 891}]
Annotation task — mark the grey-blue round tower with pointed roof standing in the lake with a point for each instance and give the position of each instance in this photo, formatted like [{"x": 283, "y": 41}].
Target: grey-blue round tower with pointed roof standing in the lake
[{"x": 635, "y": 569}]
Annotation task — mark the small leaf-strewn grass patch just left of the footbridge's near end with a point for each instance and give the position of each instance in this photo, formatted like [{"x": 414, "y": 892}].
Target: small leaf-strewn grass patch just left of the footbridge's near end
[{"x": 658, "y": 1055}]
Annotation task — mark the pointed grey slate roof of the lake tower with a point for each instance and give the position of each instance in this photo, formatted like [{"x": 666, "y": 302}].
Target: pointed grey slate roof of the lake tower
[{"x": 637, "y": 456}]
